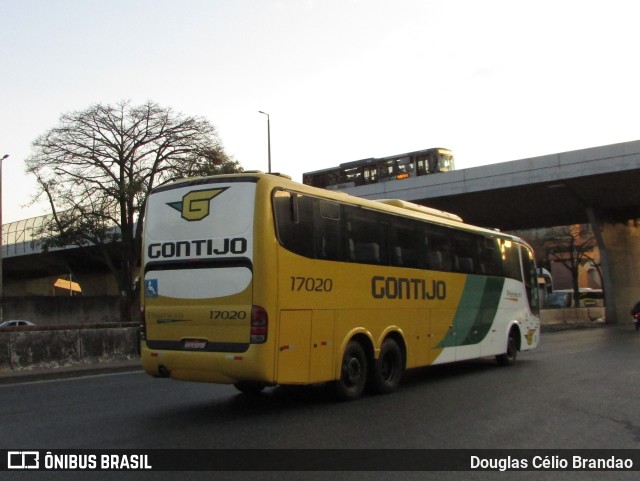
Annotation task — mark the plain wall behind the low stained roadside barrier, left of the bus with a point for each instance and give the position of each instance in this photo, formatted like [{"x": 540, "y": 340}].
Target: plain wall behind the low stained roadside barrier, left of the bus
[{"x": 59, "y": 310}]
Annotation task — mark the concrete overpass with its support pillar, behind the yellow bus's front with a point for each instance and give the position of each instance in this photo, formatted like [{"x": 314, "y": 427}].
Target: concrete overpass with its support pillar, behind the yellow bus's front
[{"x": 600, "y": 186}]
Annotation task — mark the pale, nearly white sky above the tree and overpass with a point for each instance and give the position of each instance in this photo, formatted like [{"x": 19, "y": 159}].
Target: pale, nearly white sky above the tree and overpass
[{"x": 342, "y": 80}]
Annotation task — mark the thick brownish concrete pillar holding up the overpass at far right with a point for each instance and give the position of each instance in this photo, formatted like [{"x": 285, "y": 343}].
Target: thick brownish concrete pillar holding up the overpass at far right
[{"x": 621, "y": 244}]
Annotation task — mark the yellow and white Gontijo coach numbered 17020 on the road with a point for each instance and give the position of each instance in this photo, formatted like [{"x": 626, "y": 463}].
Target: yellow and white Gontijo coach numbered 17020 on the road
[{"x": 255, "y": 280}]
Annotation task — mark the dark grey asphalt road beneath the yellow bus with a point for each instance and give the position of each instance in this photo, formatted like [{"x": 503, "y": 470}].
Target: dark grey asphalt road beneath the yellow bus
[{"x": 580, "y": 389}]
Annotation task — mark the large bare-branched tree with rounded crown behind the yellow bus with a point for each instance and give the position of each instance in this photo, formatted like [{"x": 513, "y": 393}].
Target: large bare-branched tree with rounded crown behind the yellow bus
[{"x": 97, "y": 167}]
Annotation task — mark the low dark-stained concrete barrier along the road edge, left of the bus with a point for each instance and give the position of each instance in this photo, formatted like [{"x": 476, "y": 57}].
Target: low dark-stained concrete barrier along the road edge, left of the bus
[{"x": 41, "y": 347}]
